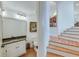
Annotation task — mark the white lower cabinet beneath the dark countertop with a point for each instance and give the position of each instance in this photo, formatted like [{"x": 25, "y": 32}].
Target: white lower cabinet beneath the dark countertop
[{"x": 15, "y": 49}]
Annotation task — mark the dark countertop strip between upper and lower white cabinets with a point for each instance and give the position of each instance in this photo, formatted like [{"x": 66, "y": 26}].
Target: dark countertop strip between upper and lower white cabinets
[{"x": 13, "y": 39}]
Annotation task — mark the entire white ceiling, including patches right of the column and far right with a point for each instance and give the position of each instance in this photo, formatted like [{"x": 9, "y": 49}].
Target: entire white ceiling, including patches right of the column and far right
[{"x": 30, "y": 7}]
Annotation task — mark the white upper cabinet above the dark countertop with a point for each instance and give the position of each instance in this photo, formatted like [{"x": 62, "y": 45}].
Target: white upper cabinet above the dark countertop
[{"x": 13, "y": 28}]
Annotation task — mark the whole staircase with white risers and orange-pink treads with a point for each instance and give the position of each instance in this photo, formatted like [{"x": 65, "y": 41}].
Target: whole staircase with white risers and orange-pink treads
[{"x": 66, "y": 44}]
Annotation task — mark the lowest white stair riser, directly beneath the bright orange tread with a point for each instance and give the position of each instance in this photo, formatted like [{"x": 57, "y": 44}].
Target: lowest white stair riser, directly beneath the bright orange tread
[{"x": 65, "y": 54}]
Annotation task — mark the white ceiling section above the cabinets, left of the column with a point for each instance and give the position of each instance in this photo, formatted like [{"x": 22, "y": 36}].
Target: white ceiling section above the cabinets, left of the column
[{"x": 28, "y": 7}]
